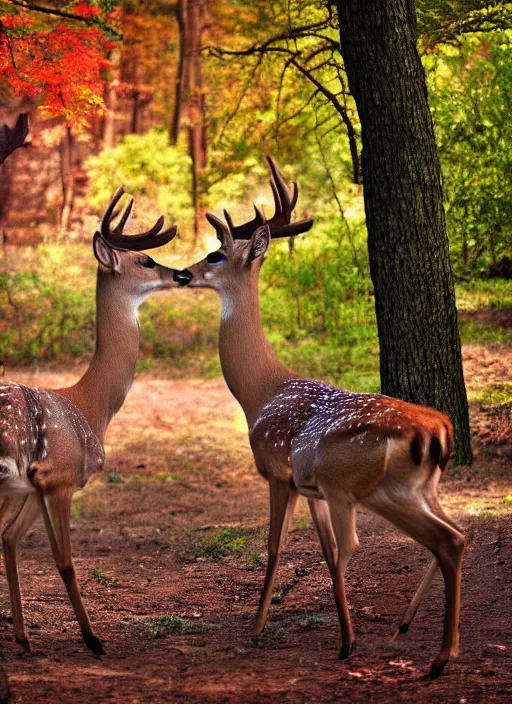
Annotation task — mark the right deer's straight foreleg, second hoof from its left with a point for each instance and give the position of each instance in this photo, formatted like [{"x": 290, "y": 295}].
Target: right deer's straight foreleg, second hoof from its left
[{"x": 343, "y": 517}]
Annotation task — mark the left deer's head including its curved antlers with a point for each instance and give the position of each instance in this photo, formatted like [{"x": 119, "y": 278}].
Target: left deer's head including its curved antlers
[{"x": 120, "y": 257}]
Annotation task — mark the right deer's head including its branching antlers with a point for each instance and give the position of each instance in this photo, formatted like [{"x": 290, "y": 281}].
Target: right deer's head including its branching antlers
[{"x": 243, "y": 246}]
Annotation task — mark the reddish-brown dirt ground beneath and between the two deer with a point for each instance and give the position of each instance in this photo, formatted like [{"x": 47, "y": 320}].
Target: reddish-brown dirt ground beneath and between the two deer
[{"x": 169, "y": 544}]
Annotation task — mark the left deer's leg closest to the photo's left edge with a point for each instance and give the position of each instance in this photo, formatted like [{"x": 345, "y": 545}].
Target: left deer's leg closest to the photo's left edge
[{"x": 11, "y": 536}]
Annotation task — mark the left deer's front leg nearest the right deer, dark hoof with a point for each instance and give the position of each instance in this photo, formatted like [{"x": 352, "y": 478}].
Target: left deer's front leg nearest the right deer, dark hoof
[{"x": 56, "y": 511}]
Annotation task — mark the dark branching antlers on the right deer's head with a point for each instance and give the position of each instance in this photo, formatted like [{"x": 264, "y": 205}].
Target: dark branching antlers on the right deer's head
[{"x": 285, "y": 199}]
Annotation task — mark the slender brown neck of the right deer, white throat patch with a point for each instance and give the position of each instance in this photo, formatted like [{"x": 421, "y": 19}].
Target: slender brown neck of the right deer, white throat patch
[{"x": 252, "y": 370}]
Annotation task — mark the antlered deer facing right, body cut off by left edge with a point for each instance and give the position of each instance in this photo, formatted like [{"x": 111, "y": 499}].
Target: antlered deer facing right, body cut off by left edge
[{"x": 52, "y": 441}]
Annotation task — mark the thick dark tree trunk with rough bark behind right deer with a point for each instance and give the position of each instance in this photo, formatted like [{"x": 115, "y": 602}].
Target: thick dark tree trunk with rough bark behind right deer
[{"x": 408, "y": 245}]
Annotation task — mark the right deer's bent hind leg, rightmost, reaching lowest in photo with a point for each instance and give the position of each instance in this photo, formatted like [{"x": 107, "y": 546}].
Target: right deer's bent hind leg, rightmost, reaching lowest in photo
[{"x": 447, "y": 545}]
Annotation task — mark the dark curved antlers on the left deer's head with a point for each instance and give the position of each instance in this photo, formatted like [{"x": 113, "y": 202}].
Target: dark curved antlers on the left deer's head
[{"x": 145, "y": 240}]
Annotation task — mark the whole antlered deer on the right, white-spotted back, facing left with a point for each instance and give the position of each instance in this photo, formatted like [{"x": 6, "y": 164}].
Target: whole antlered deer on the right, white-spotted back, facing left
[{"x": 337, "y": 448}]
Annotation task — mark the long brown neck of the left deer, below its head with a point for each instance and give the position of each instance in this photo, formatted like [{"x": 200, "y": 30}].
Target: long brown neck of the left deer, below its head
[{"x": 100, "y": 393}]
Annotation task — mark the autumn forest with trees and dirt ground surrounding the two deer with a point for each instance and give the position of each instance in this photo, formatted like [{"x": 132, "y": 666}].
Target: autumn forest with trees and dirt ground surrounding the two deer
[{"x": 180, "y": 102}]
